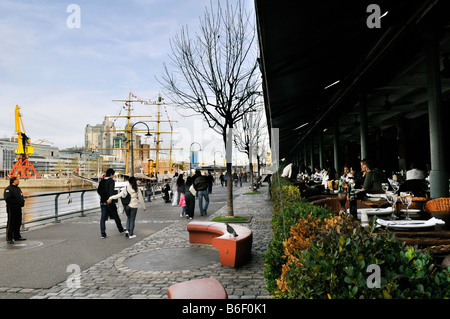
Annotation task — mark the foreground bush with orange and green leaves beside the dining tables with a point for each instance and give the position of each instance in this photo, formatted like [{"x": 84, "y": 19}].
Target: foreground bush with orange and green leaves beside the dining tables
[{"x": 334, "y": 264}]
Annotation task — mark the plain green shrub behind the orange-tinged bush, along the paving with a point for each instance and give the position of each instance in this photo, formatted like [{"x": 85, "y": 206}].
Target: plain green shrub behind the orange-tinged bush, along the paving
[{"x": 288, "y": 208}]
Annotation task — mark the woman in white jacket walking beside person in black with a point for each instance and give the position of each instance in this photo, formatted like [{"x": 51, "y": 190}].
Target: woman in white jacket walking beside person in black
[{"x": 131, "y": 208}]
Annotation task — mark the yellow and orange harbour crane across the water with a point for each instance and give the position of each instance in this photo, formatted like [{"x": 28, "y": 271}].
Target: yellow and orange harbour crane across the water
[{"x": 22, "y": 168}]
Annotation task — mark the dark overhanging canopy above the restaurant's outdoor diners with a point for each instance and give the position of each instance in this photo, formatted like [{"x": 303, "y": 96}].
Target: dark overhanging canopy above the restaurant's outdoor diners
[{"x": 348, "y": 80}]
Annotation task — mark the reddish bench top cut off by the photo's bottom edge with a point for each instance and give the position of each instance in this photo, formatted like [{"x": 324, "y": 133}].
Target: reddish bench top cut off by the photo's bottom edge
[{"x": 208, "y": 288}]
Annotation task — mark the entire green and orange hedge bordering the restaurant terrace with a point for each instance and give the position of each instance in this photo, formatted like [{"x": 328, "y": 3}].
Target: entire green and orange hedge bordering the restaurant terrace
[{"x": 315, "y": 254}]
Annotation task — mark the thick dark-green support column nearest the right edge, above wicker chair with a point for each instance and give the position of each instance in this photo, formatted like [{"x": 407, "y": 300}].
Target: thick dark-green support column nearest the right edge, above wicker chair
[{"x": 438, "y": 175}]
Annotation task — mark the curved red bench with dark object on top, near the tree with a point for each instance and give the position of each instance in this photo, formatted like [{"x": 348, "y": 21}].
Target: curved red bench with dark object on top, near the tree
[{"x": 234, "y": 251}]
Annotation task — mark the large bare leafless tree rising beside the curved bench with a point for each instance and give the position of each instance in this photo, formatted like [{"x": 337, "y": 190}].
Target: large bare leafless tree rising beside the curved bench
[{"x": 215, "y": 72}]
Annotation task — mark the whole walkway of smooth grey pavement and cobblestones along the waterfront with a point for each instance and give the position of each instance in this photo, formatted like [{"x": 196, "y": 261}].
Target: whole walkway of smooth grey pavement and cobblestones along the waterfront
[{"x": 141, "y": 268}]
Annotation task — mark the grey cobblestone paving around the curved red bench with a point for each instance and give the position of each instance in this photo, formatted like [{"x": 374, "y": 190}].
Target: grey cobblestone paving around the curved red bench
[{"x": 117, "y": 277}]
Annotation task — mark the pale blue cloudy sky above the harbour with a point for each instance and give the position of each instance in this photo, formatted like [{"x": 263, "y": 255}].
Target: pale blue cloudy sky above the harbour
[{"x": 66, "y": 65}]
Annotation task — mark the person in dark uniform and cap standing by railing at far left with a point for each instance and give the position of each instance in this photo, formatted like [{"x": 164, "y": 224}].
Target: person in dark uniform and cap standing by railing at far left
[{"x": 14, "y": 202}]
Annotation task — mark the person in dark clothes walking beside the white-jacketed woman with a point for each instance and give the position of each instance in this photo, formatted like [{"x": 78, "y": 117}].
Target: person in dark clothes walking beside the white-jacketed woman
[{"x": 106, "y": 190}]
